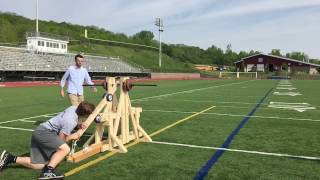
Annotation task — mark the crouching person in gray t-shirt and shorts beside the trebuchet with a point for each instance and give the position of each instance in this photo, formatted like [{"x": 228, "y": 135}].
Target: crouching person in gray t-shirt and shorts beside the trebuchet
[{"x": 48, "y": 142}]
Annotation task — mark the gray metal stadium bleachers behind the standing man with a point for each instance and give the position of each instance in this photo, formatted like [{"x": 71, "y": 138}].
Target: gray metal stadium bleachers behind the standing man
[{"x": 18, "y": 59}]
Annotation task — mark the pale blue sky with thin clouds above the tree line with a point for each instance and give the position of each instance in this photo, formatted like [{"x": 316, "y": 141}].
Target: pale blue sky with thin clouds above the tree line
[{"x": 261, "y": 25}]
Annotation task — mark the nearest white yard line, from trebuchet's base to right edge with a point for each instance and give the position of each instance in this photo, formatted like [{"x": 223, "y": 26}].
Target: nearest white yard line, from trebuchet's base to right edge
[{"x": 238, "y": 150}]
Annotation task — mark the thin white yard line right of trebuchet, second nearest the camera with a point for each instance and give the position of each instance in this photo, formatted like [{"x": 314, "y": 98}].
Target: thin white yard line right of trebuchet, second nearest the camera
[{"x": 234, "y": 115}]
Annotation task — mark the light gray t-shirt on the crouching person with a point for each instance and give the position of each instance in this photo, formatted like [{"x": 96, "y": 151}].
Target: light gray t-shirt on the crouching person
[{"x": 64, "y": 122}]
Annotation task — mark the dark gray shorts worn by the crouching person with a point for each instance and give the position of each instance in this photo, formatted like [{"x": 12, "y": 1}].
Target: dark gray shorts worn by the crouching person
[{"x": 43, "y": 144}]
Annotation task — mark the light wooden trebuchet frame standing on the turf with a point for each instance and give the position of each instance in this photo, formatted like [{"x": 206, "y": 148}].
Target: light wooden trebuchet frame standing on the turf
[{"x": 114, "y": 115}]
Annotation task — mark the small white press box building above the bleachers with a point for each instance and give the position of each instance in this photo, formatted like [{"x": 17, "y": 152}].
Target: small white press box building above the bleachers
[{"x": 45, "y": 42}]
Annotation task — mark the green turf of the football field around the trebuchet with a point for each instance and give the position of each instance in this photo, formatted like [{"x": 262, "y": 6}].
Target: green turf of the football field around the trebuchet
[{"x": 234, "y": 99}]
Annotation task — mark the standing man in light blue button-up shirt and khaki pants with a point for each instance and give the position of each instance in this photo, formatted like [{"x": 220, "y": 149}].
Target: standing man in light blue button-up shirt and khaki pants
[{"x": 75, "y": 77}]
